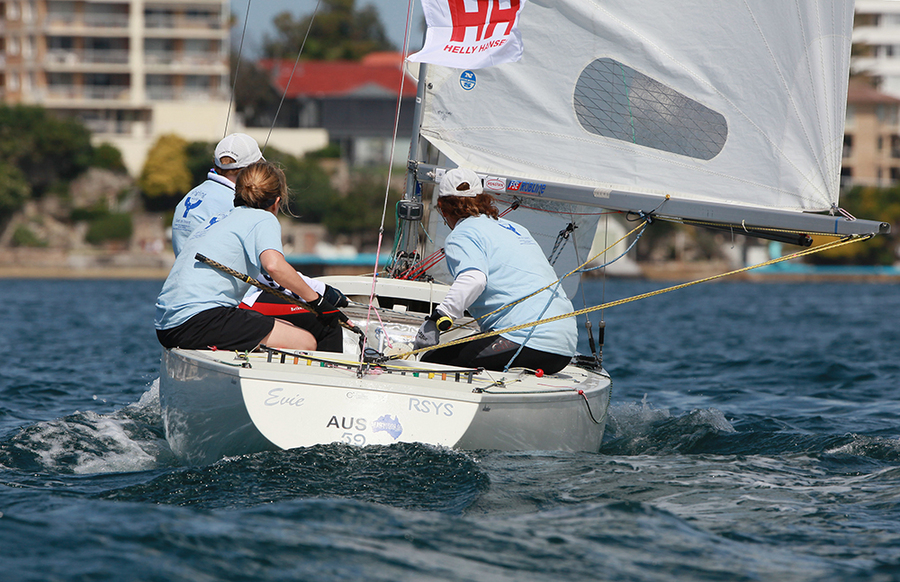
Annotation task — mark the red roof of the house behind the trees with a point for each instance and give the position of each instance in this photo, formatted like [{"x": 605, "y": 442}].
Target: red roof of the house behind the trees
[{"x": 339, "y": 78}]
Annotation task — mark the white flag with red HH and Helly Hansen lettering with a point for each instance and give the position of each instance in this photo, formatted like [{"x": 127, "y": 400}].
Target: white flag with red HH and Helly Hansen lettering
[{"x": 471, "y": 34}]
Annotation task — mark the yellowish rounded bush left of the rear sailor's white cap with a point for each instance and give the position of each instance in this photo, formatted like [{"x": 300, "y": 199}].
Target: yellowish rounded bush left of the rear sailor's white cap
[{"x": 165, "y": 177}]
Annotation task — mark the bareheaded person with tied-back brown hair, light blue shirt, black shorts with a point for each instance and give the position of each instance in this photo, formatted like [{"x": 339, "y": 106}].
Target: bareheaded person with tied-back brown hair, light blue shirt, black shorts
[{"x": 198, "y": 305}]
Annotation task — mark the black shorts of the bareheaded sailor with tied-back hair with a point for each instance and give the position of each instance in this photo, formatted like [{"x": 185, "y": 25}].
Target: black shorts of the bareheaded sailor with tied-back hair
[{"x": 223, "y": 328}]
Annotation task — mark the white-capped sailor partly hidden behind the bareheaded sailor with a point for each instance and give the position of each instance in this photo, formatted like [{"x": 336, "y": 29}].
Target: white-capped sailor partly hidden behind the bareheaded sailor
[{"x": 215, "y": 196}]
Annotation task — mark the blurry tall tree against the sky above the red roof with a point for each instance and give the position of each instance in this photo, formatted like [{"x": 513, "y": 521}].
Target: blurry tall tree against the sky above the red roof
[{"x": 339, "y": 31}]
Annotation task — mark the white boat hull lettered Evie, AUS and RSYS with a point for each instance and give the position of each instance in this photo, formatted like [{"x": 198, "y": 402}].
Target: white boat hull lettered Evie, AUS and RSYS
[{"x": 215, "y": 404}]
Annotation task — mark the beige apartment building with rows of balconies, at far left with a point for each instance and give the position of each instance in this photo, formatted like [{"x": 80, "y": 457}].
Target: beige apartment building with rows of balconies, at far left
[{"x": 131, "y": 70}]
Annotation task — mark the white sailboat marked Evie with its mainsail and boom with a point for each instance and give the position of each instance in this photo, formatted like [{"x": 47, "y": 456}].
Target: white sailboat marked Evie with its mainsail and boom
[{"x": 728, "y": 117}]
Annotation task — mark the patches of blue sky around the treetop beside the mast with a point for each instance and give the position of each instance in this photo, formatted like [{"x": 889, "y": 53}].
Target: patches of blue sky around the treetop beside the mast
[{"x": 392, "y": 13}]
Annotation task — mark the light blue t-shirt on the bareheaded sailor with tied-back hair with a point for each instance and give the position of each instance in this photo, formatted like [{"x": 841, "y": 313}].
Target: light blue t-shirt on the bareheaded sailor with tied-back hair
[{"x": 235, "y": 241}]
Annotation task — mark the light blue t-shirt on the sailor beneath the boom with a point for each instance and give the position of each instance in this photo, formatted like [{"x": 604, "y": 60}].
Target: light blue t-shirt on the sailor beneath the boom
[{"x": 515, "y": 266}]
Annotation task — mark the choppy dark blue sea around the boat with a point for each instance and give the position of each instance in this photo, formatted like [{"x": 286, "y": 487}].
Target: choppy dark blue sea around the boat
[{"x": 753, "y": 435}]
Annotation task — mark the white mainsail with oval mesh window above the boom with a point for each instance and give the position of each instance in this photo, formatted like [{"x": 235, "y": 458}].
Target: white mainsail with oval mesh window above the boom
[{"x": 739, "y": 104}]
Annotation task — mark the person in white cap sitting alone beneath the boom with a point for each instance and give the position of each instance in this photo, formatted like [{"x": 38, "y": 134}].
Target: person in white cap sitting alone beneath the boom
[{"x": 495, "y": 263}]
